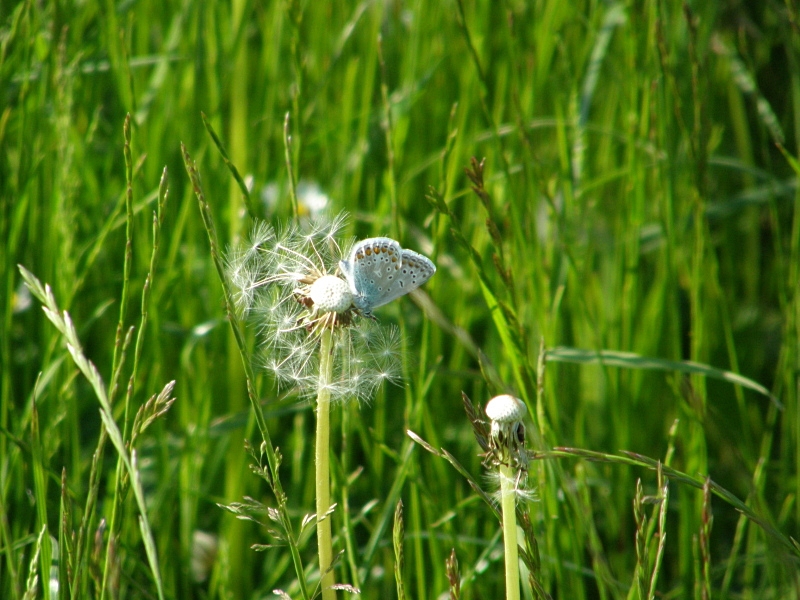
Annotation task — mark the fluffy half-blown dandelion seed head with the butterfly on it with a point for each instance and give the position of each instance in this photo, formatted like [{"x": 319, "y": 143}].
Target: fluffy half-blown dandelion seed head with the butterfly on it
[{"x": 287, "y": 281}]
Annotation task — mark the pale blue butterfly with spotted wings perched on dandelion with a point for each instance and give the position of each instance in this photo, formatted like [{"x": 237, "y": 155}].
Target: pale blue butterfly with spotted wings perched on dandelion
[{"x": 379, "y": 270}]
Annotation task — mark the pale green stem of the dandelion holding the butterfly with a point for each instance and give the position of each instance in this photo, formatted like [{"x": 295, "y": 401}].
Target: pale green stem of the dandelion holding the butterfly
[{"x": 323, "y": 477}]
